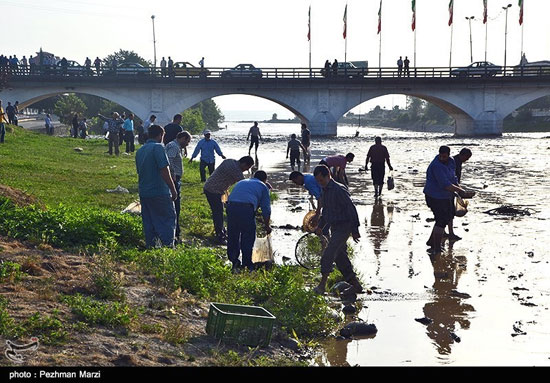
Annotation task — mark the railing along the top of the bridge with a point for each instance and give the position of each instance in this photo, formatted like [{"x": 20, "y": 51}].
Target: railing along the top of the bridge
[{"x": 49, "y": 71}]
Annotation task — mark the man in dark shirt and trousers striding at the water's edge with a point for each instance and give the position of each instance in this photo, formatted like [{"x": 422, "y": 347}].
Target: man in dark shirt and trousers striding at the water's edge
[{"x": 340, "y": 213}]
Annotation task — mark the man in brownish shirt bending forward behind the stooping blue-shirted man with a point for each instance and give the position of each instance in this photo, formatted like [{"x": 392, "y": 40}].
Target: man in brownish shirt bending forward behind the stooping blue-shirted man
[{"x": 228, "y": 173}]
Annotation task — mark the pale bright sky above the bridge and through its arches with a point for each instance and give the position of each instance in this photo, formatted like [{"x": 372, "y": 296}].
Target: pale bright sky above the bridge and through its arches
[{"x": 271, "y": 34}]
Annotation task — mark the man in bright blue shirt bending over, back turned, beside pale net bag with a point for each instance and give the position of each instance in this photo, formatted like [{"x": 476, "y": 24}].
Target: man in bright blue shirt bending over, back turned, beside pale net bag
[{"x": 244, "y": 200}]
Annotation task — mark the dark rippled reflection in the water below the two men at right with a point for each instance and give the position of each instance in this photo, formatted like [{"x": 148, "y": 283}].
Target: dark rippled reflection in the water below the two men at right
[{"x": 448, "y": 309}]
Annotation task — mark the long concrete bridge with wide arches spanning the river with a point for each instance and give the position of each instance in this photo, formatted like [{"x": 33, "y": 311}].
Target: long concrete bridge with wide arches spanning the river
[{"x": 478, "y": 104}]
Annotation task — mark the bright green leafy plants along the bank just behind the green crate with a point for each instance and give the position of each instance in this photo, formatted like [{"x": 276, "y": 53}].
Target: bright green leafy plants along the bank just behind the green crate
[{"x": 281, "y": 290}]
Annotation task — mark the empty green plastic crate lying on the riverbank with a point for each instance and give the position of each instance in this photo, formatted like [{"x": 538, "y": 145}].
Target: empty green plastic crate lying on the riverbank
[{"x": 247, "y": 325}]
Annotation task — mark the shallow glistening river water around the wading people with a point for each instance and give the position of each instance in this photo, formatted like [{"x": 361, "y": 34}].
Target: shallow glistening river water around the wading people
[{"x": 487, "y": 295}]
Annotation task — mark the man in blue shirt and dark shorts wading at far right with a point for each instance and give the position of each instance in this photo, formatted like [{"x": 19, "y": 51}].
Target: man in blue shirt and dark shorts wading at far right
[{"x": 441, "y": 184}]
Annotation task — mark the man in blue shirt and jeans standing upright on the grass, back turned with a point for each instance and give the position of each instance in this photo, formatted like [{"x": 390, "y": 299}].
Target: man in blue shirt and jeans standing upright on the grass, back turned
[{"x": 157, "y": 192}]
